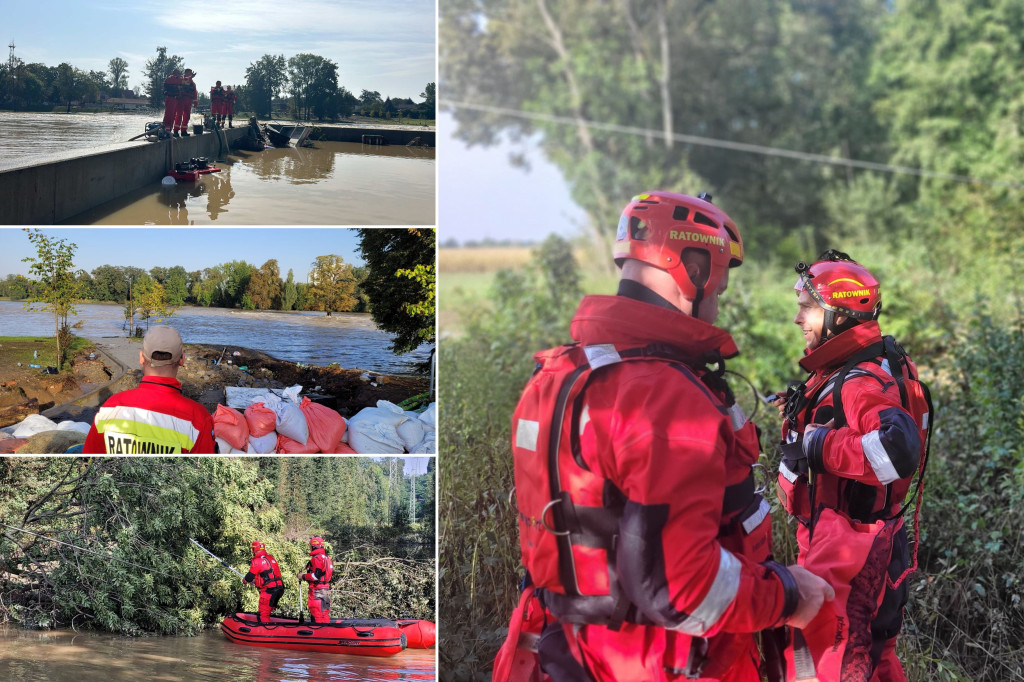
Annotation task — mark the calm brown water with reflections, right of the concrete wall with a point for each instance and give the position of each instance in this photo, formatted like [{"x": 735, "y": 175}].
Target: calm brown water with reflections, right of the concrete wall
[{"x": 330, "y": 184}]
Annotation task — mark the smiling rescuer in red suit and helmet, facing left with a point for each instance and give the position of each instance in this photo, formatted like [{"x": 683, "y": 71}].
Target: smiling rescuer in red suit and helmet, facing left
[{"x": 855, "y": 436}]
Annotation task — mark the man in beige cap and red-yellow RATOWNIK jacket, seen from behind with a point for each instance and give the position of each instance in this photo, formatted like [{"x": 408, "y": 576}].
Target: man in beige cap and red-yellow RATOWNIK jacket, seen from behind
[{"x": 156, "y": 418}]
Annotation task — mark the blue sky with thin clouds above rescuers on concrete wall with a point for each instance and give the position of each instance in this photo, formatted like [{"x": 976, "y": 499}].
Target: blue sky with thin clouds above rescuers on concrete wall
[{"x": 383, "y": 46}]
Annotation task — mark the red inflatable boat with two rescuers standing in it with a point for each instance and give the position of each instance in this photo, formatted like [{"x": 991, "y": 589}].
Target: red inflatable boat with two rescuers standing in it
[{"x": 360, "y": 637}]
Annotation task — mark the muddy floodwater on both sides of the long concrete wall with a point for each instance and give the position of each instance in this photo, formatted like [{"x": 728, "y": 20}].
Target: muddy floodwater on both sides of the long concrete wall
[{"x": 330, "y": 184}]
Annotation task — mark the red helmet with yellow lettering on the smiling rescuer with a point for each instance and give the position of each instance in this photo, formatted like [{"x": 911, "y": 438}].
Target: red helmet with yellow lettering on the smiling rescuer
[{"x": 842, "y": 287}]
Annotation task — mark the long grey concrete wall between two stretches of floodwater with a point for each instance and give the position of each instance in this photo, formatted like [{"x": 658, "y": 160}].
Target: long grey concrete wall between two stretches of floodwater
[{"x": 51, "y": 193}]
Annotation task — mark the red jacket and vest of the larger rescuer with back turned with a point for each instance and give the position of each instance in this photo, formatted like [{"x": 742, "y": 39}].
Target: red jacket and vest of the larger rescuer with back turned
[{"x": 634, "y": 482}]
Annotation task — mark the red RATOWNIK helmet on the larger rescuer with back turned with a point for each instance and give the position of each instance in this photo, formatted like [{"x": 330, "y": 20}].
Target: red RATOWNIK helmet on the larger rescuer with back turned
[{"x": 658, "y": 227}]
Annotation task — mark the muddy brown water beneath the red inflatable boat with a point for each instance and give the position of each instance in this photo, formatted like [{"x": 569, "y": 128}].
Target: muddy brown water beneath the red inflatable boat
[{"x": 65, "y": 656}]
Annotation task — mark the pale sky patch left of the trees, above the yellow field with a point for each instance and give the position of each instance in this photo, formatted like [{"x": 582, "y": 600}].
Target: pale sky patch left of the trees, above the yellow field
[{"x": 482, "y": 195}]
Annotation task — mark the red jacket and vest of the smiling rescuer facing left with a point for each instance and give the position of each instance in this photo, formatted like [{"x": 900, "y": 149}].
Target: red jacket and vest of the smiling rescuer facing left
[{"x": 865, "y": 464}]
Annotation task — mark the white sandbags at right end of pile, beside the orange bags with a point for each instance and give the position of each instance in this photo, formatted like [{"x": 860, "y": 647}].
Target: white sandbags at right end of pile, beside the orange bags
[{"x": 388, "y": 430}]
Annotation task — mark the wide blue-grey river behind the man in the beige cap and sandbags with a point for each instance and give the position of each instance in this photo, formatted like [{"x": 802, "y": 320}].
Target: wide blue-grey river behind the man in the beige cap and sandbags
[{"x": 353, "y": 340}]
